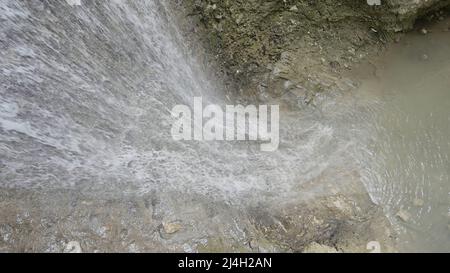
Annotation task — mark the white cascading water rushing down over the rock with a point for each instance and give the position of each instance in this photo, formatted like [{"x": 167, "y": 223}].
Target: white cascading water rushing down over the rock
[{"x": 86, "y": 99}]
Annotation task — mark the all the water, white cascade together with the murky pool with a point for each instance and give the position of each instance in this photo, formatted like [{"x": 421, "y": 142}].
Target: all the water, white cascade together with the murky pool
[{"x": 86, "y": 99}]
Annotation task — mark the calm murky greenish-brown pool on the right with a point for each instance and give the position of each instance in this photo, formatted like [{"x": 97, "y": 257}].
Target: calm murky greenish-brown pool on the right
[{"x": 410, "y": 167}]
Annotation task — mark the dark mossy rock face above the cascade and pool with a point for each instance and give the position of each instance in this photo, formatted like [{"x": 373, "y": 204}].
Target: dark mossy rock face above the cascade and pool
[{"x": 249, "y": 37}]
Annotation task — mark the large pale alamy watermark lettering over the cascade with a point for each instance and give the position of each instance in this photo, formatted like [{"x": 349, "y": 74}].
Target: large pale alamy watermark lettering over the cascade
[{"x": 236, "y": 123}]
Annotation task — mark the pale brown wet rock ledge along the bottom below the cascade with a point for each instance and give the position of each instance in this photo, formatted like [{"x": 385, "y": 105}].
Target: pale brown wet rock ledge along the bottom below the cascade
[{"x": 65, "y": 221}]
